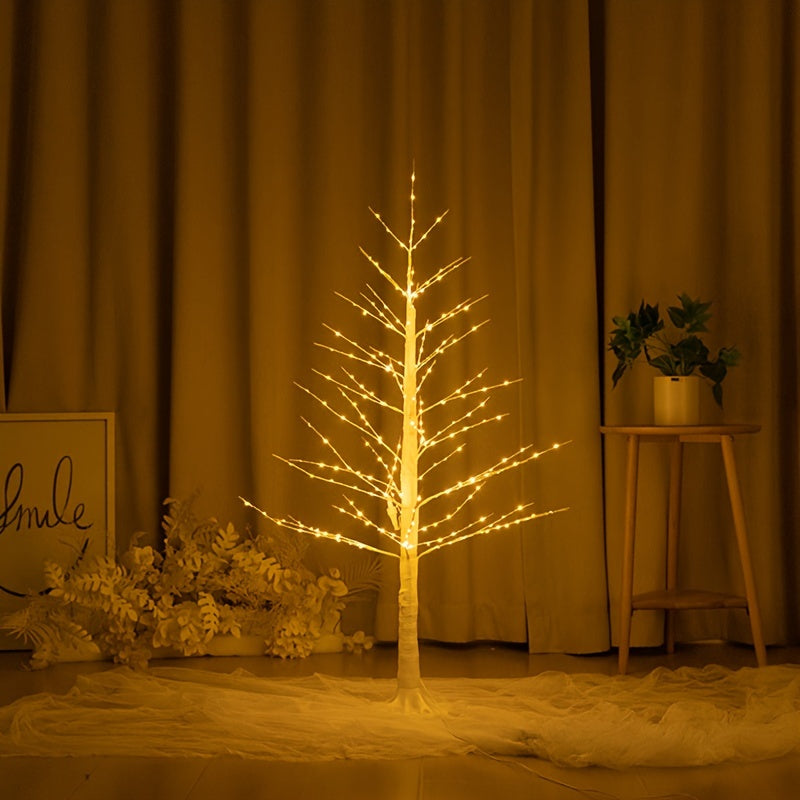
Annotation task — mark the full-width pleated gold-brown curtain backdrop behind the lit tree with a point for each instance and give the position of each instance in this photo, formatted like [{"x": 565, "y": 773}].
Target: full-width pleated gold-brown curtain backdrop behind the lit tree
[{"x": 185, "y": 187}]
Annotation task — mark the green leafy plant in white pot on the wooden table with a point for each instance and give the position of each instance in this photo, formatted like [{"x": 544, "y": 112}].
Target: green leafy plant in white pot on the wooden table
[{"x": 682, "y": 358}]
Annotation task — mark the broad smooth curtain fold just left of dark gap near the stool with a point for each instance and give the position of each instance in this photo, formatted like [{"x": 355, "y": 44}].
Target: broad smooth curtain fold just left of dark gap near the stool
[{"x": 556, "y": 301}]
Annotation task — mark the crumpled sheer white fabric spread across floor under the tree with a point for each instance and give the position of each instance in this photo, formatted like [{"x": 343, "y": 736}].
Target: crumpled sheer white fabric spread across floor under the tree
[{"x": 668, "y": 718}]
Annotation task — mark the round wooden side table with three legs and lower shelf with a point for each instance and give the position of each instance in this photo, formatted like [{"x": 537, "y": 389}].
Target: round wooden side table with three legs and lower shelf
[{"x": 674, "y": 599}]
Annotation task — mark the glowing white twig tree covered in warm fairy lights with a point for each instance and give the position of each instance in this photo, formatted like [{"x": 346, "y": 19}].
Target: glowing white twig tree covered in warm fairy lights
[{"x": 401, "y": 460}]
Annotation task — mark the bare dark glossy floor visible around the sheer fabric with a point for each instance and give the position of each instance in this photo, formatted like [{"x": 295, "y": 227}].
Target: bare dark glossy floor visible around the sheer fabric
[{"x": 462, "y": 778}]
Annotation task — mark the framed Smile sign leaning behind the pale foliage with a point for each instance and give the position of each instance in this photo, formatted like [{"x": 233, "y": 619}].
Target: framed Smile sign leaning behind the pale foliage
[{"x": 56, "y": 499}]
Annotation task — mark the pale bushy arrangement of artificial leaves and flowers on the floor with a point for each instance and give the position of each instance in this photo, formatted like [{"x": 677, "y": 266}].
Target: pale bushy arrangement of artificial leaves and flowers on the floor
[{"x": 209, "y": 581}]
